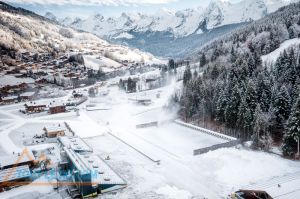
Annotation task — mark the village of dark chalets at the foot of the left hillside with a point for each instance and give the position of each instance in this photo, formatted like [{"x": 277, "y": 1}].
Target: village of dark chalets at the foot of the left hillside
[{"x": 26, "y": 76}]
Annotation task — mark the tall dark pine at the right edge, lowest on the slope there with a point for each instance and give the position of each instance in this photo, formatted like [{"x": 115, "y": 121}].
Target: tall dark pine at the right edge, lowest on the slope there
[{"x": 292, "y": 134}]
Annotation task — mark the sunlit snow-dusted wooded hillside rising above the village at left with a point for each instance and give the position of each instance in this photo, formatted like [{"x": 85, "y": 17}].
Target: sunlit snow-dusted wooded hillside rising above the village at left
[{"x": 30, "y": 32}]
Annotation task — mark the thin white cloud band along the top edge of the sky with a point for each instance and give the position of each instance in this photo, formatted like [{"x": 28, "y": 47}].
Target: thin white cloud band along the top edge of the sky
[{"x": 91, "y": 2}]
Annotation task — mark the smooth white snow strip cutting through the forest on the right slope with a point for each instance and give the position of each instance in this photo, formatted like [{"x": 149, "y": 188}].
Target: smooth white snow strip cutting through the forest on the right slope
[{"x": 272, "y": 57}]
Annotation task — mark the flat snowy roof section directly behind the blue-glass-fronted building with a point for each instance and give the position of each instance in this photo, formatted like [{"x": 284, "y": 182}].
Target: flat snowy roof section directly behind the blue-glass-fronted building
[{"x": 75, "y": 143}]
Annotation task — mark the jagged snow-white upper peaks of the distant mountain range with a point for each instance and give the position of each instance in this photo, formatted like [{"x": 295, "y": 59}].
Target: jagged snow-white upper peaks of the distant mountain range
[{"x": 181, "y": 23}]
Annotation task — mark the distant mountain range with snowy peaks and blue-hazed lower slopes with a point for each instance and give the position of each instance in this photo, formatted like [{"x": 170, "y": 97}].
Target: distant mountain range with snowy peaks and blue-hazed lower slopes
[{"x": 175, "y": 33}]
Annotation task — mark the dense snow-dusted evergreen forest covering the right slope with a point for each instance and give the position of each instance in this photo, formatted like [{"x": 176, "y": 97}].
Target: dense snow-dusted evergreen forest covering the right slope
[{"x": 254, "y": 100}]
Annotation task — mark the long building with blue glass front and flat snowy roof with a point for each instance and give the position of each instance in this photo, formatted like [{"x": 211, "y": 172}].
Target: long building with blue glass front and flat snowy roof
[{"x": 91, "y": 174}]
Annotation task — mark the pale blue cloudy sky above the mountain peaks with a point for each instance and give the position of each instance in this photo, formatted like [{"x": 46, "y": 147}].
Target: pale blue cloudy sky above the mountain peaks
[{"x": 85, "y": 8}]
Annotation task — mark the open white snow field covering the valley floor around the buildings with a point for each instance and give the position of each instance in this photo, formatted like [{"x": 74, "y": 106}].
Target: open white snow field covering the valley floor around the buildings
[{"x": 134, "y": 152}]
